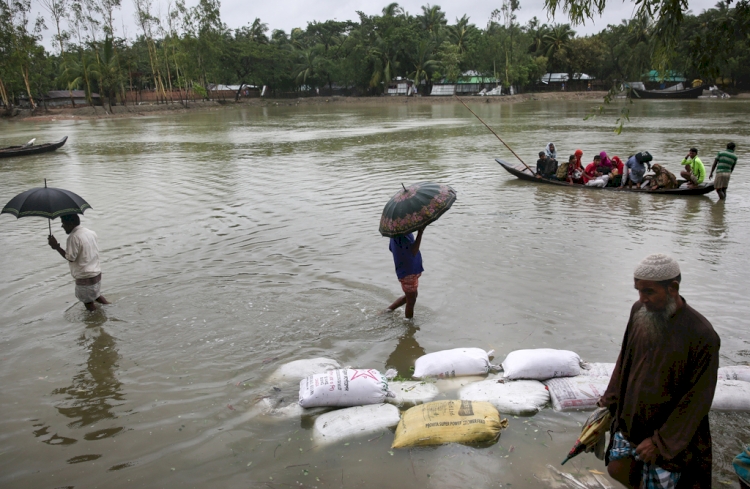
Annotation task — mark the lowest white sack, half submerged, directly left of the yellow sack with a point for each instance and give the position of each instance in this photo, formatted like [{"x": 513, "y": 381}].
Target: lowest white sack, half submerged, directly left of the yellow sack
[{"x": 337, "y": 425}]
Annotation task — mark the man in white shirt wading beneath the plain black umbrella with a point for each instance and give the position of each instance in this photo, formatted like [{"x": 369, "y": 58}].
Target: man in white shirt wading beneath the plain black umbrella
[{"x": 82, "y": 252}]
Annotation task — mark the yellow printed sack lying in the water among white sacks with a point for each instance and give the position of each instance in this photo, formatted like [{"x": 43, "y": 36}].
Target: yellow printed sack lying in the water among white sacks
[{"x": 439, "y": 422}]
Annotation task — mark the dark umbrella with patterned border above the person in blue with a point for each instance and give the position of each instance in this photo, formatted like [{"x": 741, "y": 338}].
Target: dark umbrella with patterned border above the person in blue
[{"x": 414, "y": 207}]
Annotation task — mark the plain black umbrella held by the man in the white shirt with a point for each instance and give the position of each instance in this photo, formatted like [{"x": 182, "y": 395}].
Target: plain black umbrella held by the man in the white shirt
[{"x": 46, "y": 202}]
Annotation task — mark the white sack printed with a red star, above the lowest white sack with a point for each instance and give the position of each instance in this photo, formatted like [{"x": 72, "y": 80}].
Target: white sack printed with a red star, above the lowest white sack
[{"x": 343, "y": 388}]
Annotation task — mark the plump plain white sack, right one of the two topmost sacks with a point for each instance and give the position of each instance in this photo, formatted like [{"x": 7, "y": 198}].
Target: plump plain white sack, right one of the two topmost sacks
[{"x": 541, "y": 364}]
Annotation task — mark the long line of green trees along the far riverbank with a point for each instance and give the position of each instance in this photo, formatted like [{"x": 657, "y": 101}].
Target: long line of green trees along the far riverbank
[{"x": 187, "y": 49}]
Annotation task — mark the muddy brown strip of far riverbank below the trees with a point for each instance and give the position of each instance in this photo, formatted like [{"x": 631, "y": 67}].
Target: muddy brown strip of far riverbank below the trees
[{"x": 120, "y": 111}]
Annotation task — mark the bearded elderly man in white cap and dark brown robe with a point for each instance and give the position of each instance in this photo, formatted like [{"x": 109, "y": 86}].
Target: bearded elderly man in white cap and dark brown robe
[{"x": 662, "y": 386}]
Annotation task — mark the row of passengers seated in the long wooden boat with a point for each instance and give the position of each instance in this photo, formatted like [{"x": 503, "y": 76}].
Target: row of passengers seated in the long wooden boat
[{"x": 606, "y": 171}]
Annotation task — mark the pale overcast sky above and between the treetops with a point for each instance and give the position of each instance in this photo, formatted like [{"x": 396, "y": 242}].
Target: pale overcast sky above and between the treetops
[{"x": 288, "y": 14}]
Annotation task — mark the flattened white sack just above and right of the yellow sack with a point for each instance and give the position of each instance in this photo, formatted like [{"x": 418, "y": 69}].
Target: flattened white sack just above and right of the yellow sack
[{"x": 521, "y": 397}]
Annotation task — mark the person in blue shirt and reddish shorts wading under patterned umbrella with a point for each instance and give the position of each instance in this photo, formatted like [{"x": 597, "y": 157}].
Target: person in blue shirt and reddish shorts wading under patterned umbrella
[{"x": 408, "y": 261}]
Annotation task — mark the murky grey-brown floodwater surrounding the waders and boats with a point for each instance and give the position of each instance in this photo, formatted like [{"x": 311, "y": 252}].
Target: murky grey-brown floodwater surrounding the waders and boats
[{"x": 237, "y": 240}]
